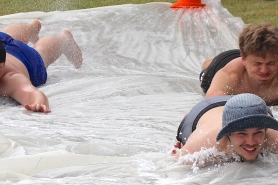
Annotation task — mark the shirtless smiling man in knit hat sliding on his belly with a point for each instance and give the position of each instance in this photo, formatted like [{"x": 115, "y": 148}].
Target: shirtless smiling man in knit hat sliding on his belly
[{"x": 242, "y": 127}]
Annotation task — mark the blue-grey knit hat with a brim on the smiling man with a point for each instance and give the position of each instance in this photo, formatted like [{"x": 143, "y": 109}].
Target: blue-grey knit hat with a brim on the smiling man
[{"x": 245, "y": 111}]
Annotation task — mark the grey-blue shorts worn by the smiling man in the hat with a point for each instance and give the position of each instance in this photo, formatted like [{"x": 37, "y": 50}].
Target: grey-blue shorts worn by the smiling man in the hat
[{"x": 189, "y": 123}]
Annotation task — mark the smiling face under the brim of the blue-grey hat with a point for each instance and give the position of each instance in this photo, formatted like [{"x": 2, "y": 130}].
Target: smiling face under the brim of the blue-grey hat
[{"x": 248, "y": 143}]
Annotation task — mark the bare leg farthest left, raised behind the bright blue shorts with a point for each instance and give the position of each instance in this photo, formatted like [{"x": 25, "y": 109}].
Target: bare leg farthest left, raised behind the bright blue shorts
[{"x": 24, "y": 32}]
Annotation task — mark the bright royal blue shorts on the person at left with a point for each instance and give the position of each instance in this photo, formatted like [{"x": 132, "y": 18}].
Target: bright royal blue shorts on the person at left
[{"x": 28, "y": 56}]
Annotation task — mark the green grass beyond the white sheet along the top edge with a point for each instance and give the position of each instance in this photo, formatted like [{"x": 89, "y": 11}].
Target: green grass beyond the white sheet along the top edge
[{"x": 251, "y": 11}]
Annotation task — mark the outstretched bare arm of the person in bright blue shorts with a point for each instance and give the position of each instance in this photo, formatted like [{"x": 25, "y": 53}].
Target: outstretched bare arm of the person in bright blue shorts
[{"x": 19, "y": 87}]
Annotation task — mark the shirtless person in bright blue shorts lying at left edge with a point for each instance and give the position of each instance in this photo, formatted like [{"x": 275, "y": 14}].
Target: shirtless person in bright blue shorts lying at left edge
[{"x": 23, "y": 68}]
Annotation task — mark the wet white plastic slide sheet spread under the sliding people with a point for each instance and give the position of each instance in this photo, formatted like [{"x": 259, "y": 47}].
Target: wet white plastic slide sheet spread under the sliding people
[{"x": 114, "y": 120}]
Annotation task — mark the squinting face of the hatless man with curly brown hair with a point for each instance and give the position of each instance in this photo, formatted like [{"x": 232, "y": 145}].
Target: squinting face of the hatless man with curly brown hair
[{"x": 261, "y": 70}]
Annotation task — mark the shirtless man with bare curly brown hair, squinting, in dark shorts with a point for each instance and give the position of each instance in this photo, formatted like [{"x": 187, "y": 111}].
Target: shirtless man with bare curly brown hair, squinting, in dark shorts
[{"x": 251, "y": 69}]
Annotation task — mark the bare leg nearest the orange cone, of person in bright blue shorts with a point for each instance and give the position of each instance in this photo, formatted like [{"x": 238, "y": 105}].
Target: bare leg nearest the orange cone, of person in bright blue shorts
[{"x": 52, "y": 47}]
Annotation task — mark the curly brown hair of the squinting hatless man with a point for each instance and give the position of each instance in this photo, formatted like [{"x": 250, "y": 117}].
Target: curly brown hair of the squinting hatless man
[{"x": 259, "y": 40}]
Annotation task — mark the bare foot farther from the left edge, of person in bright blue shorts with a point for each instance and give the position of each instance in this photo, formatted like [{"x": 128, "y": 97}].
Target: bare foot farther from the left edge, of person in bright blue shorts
[{"x": 72, "y": 50}]
